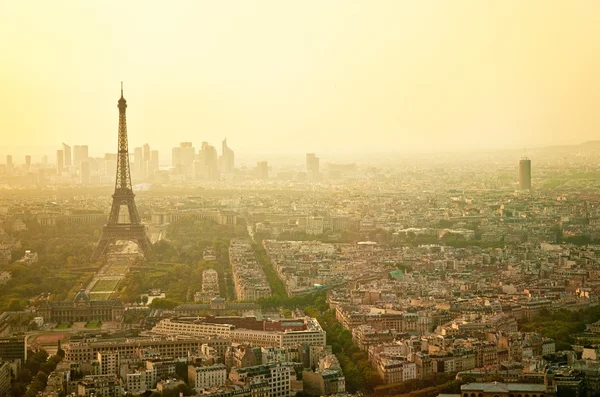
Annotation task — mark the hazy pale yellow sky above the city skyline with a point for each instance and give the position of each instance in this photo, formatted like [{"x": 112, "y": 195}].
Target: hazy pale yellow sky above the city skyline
[{"x": 294, "y": 76}]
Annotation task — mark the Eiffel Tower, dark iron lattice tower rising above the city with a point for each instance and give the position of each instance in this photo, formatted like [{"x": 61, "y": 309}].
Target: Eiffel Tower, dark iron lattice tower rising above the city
[{"x": 123, "y": 196}]
